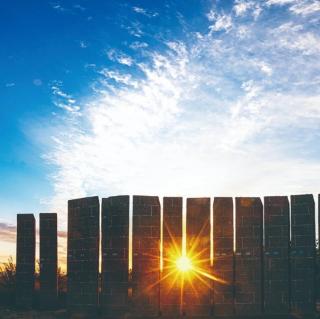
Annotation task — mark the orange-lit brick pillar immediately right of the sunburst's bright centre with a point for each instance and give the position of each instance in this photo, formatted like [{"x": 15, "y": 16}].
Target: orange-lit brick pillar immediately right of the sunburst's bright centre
[{"x": 197, "y": 293}]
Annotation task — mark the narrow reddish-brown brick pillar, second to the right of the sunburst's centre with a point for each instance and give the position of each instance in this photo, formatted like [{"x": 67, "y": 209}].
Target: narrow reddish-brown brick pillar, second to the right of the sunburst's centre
[{"x": 223, "y": 256}]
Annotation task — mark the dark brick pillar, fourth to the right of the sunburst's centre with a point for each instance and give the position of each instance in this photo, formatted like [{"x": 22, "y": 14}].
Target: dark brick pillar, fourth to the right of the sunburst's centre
[{"x": 276, "y": 263}]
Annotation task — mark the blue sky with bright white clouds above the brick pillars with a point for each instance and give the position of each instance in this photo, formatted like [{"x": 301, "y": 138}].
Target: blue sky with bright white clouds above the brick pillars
[{"x": 172, "y": 97}]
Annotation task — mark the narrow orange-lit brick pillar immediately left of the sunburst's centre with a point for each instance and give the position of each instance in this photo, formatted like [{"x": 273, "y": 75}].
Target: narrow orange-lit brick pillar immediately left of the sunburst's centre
[{"x": 172, "y": 249}]
